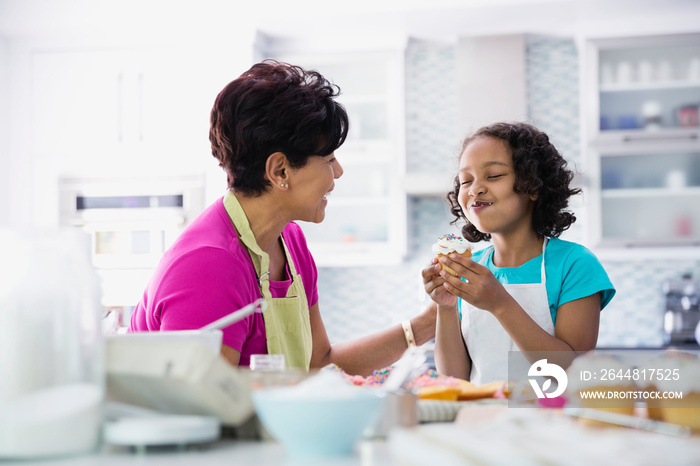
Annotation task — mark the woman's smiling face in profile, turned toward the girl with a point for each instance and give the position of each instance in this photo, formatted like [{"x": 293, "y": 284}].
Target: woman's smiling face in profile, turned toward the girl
[{"x": 310, "y": 186}]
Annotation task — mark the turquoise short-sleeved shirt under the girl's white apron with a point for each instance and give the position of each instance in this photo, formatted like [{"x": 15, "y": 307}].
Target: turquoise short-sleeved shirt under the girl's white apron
[{"x": 573, "y": 272}]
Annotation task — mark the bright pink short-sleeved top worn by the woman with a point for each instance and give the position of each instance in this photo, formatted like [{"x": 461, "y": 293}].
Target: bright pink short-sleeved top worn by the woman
[{"x": 208, "y": 274}]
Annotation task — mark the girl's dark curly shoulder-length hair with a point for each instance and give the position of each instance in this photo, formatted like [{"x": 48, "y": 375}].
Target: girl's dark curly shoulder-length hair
[{"x": 539, "y": 170}]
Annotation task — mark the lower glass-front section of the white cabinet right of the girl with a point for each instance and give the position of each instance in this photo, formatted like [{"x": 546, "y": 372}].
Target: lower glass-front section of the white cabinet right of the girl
[{"x": 650, "y": 196}]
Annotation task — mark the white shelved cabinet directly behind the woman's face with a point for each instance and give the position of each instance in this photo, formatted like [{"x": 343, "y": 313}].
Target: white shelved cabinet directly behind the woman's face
[{"x": 365, "y": 220}]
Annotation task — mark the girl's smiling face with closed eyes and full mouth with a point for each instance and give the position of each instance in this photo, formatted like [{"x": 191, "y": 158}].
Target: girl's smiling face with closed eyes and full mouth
[{"x": 486, "y": 195}]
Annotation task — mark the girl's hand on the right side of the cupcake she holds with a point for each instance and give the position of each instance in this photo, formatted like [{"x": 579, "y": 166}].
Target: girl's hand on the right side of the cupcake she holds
[{"x": 481, "y": 289}]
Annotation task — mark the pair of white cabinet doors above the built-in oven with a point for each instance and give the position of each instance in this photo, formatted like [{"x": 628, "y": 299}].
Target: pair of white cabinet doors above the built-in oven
[{"x": 136, "y": 102}]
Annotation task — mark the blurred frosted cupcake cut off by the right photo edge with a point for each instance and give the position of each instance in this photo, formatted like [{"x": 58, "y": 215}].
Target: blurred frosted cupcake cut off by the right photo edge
[{"x": 674, "y": 372}]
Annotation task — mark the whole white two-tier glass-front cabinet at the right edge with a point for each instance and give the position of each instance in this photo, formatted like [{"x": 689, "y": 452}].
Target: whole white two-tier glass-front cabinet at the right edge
[{"x": 640, "y": 100}]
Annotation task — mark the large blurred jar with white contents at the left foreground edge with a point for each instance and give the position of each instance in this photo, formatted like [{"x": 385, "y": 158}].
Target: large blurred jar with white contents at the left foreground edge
[{"x": 51, "y": 347}]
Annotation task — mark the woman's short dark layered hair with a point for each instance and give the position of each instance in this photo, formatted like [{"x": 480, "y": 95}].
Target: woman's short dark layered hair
[{"x": 274, "y": 107}]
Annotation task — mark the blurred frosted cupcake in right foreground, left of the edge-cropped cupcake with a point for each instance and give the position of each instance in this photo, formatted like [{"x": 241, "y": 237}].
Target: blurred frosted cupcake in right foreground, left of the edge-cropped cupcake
[{"x": 600, "y": 381}]
